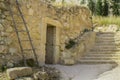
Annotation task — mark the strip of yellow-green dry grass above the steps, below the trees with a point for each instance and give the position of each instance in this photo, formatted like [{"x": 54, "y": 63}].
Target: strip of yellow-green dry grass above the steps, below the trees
[{"x": 106, "y": 20}]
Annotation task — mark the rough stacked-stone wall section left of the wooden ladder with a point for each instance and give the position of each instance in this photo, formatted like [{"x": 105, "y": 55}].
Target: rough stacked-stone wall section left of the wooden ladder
[{"x": 5, "y": 36}]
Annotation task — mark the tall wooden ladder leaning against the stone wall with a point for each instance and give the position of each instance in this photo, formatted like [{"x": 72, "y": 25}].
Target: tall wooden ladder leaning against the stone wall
[{"x": 26, "y": 30}]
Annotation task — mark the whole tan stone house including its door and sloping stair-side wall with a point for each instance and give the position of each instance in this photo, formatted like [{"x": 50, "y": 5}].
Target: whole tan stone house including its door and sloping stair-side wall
[{"x": 52, "y": 30}]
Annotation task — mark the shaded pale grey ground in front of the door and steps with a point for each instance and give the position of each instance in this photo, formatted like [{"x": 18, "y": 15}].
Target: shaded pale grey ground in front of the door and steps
[{"x": 83, "y": 71}]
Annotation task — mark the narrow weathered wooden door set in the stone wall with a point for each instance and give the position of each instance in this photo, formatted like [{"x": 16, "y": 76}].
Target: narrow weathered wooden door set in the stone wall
[{"x": 50, "y": 44}]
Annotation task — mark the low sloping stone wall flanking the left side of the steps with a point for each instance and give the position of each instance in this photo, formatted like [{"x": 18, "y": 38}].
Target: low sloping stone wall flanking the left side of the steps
[{"x": 84, "y": 44}]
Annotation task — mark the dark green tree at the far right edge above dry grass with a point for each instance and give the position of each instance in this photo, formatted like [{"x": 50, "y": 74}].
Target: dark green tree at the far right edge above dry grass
[{"x": 115, "y": 7}]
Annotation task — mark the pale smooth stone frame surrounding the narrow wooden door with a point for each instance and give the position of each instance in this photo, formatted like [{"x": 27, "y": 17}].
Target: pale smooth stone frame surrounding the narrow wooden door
[{"x": 43, "y": 32}]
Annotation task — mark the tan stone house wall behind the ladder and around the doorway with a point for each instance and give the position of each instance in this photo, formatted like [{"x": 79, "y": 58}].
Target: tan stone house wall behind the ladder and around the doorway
[{"x": 69, "y": 22}]
